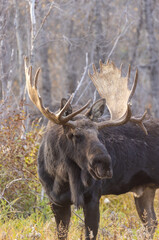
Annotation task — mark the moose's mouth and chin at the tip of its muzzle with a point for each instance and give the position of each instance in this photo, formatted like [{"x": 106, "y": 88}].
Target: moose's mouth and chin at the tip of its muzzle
[{"x": 99, "y": 173}]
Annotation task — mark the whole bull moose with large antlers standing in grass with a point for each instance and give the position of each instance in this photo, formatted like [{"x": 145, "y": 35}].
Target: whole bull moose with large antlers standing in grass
[{"x": 84, "y": 156}]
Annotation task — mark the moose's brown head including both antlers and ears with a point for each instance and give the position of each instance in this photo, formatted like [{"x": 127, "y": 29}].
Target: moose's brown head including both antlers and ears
[{"x": 79, "y": 139}]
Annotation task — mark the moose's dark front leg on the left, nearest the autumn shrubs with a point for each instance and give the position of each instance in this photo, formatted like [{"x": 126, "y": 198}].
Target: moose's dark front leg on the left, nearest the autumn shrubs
[{"x": 62, "y": 217}]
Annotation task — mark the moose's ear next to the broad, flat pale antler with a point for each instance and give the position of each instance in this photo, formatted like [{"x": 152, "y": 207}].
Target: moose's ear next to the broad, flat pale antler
[{"x": 96, "y": 110}]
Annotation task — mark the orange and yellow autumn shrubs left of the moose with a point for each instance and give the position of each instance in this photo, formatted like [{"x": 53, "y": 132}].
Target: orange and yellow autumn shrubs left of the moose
[{"x": 19, "y": 185}]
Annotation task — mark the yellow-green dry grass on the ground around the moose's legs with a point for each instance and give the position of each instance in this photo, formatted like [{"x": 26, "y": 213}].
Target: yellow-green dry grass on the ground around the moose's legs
[{"x": 119, "y": 220}]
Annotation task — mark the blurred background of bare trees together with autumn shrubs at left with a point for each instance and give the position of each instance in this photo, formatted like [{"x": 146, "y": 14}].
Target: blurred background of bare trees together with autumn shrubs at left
[{"x": 64, "y": 38}]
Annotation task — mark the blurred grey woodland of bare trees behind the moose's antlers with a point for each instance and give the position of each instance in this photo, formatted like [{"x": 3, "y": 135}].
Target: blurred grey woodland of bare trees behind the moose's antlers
[{"x": 64, "y": 38}]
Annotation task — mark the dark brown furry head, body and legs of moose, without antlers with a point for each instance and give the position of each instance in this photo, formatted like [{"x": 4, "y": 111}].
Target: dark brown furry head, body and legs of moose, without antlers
[{"x": 75, "y": 166}]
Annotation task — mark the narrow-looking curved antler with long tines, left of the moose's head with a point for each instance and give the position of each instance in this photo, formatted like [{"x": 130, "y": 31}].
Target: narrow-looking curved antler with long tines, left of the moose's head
[{"x": 57, "y": 118}]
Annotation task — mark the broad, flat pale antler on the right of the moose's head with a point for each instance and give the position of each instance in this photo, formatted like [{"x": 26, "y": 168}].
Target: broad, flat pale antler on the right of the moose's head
[{"x": 114, "y": 88}]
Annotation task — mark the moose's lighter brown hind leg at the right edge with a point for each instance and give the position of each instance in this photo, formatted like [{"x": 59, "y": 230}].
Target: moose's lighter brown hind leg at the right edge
[{"x": 145, "y": 208}]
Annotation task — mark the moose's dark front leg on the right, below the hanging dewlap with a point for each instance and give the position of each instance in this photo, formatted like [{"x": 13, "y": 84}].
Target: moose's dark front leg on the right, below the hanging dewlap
[{"x": 91, "y": 213}]
